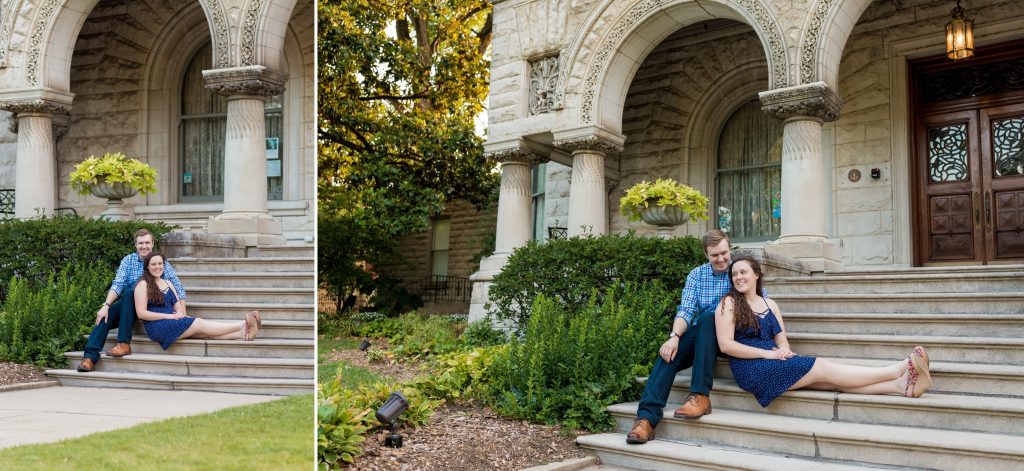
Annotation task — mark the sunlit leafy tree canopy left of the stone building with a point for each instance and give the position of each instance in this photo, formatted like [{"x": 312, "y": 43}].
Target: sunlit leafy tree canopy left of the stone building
[{"x": 401, "y": 85}]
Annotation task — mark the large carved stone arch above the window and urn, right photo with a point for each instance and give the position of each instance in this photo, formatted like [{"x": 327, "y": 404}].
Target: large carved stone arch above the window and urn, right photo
[{"x": 598, "y": 78}]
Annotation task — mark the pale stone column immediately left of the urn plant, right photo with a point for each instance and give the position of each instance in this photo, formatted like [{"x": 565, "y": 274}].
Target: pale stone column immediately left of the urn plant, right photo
[{"x": 588, "y": 195}]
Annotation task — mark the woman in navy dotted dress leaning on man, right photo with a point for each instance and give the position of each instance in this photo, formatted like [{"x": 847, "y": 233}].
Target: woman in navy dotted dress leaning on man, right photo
[{"x": 751, "y": 331}]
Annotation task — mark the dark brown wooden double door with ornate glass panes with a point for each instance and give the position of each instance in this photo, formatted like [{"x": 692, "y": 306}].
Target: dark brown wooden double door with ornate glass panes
[{"x": 970, "y": 179}]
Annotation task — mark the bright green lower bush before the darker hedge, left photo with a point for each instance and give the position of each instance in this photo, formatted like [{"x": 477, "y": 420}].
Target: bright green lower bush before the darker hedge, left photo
[{"x": 38, "y": 325}]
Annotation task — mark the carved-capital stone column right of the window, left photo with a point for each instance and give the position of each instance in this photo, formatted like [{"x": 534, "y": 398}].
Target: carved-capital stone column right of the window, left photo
[{"x": 245, "y": 213}]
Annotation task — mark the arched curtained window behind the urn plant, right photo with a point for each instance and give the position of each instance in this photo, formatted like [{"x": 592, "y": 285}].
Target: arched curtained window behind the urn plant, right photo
[{"x": 750, "y": 176}]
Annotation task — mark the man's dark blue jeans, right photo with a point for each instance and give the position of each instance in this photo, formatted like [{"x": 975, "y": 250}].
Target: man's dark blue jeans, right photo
[{"x": 698, "y": 348}]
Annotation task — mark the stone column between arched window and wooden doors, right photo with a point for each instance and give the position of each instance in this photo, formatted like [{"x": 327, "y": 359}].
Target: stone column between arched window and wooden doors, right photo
[{"x": 805, "y": 181}]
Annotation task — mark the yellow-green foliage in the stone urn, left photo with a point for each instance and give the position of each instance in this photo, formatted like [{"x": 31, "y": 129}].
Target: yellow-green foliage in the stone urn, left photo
[{"x": 114, "y": 168}]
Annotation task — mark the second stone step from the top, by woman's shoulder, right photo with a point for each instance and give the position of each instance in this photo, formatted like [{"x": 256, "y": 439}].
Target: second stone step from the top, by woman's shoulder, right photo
[{"x": 952, "y": 304}]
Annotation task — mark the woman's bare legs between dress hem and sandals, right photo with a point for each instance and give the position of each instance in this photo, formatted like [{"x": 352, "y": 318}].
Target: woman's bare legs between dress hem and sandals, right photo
[{"x": 827, "y": 375}]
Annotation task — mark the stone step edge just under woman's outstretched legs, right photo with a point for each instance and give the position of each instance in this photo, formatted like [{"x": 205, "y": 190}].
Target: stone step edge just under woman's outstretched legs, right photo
[{"x": 965, "y": 404}]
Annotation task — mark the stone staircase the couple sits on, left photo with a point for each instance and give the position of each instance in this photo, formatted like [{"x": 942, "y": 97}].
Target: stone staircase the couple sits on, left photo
[{"x": 279, "y": 282}]
